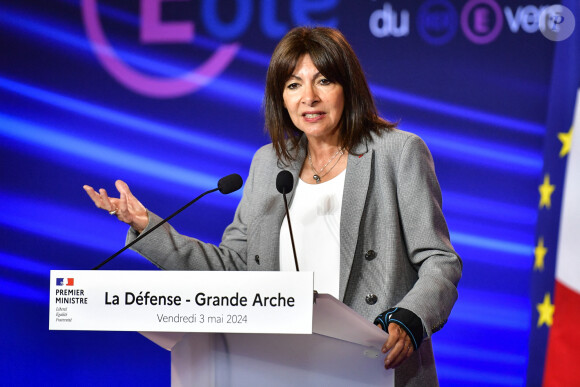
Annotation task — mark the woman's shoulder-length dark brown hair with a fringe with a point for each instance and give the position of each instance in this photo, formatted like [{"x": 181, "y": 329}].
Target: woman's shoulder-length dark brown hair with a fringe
[{"x": 335, "y": 59}]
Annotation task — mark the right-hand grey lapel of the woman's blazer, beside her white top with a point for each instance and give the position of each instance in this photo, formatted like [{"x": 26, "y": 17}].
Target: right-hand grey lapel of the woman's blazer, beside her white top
[{"x": 356, "y": 186}]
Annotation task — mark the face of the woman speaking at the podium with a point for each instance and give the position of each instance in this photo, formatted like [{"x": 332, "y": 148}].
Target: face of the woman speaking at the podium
[{"x": 314, "y": 103}]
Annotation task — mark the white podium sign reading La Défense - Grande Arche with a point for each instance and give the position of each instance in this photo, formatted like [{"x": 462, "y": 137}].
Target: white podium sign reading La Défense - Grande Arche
[{"x": 181, "y": 301}]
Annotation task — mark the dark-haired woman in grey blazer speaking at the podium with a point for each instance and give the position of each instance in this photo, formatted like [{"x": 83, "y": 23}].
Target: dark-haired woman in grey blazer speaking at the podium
[{"x": 365, "y": 206}]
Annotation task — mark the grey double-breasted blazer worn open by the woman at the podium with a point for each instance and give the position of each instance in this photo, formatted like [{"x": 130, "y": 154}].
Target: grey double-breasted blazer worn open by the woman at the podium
[{"x": 394, "y": 242}]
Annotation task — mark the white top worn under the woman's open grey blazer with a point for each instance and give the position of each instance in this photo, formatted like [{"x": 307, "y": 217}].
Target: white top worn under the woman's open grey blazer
[{"x": 315, "y": 217}]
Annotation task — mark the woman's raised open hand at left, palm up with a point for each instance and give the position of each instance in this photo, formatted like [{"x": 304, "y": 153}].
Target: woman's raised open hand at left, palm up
[{"x": 127, "y": 208}]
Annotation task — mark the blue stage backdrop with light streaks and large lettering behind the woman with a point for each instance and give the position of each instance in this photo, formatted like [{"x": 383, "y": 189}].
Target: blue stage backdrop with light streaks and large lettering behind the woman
[{"x": 93, "y": 91}]
